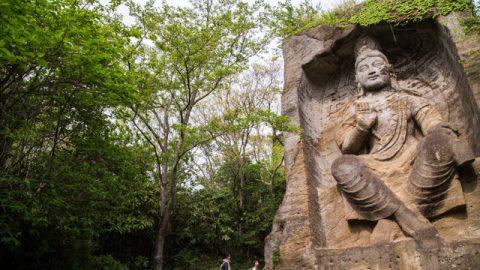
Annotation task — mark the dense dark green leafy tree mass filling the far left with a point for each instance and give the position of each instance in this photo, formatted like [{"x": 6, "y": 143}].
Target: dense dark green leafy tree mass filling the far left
[{"x": 66, "y": 176}]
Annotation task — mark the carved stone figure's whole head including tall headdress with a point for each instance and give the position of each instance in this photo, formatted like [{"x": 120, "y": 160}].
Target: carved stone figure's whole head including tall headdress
[{"x": 372, "y": 70}]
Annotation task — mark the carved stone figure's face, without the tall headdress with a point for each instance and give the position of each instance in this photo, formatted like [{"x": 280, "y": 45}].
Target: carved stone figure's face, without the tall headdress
[{"x": 372, "y": 73}]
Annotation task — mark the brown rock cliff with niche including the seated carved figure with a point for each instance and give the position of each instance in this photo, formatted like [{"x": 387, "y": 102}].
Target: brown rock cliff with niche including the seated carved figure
[{"x": 381, "y": 175}]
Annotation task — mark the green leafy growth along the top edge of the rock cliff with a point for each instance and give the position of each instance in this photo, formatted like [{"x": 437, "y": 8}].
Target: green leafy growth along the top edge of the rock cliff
[{"x": 288, "y": 20}]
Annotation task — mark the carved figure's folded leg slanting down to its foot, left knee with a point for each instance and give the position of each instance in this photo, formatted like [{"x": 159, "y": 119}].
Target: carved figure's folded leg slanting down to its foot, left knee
[{"x": 373, "y": 200}]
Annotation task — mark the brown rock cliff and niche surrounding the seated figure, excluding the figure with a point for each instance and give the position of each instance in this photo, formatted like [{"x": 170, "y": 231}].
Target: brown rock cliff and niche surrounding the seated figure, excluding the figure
[{"x": 315, "y": 228}]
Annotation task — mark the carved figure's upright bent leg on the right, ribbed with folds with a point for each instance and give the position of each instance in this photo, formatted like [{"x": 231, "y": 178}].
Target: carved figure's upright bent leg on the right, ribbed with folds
[{"x": 433, "y": 171}]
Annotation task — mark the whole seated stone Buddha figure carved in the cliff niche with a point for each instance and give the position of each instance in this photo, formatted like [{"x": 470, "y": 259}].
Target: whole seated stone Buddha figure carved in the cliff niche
[{"x": 399, "y": 157}]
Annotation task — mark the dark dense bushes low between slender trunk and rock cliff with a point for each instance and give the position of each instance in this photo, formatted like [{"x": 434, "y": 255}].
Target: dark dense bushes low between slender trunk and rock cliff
[{"x": 208, "y": 221}]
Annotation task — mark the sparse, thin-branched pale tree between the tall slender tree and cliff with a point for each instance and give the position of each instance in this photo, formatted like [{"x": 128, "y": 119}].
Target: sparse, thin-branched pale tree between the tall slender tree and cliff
[{"x": 254, "y": 95}]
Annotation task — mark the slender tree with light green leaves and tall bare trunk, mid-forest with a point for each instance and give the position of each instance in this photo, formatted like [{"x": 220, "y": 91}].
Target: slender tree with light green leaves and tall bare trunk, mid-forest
[{"x": 195, "y": 50}]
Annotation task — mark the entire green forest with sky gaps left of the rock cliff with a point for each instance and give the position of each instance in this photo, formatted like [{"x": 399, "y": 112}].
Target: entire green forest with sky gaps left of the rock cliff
[{"x": 154, "y": 143}]
